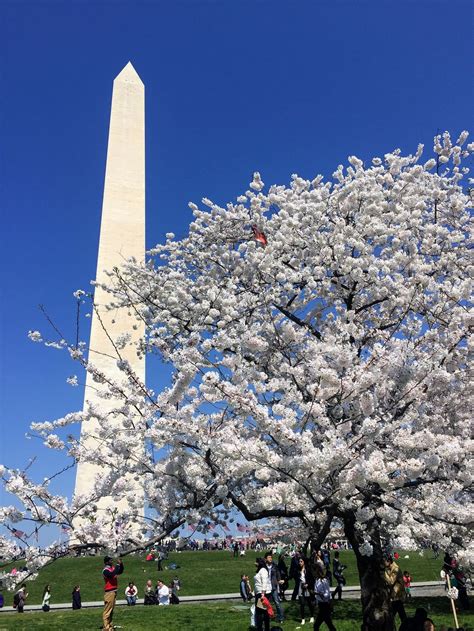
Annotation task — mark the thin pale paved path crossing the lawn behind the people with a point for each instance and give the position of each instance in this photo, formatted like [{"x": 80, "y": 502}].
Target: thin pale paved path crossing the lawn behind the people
[{"x": 351, "y": 592}]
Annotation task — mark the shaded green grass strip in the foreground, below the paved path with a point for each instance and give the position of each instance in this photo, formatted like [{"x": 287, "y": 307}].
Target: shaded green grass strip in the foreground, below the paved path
[{"x": 205, "y": 617}]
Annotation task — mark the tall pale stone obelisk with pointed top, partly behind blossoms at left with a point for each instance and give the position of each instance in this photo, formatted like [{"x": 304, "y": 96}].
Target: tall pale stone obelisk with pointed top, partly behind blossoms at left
[{"x": 122, "y": 235}]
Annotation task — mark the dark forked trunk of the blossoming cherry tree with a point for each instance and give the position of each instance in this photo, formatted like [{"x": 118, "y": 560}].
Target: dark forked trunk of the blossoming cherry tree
[{"x": 375, "y": 593}]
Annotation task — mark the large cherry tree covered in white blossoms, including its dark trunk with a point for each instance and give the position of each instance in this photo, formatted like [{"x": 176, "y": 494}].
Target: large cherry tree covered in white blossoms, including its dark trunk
[{"x": 319, "y": 336}]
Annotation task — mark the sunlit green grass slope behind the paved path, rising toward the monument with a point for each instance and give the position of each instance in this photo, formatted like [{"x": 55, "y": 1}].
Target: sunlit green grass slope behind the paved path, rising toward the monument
[{"x": 201, "y": 572}]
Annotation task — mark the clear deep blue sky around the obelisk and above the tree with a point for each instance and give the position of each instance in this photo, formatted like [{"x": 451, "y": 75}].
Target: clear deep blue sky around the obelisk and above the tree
[{"x": 231, "y": 87}]
